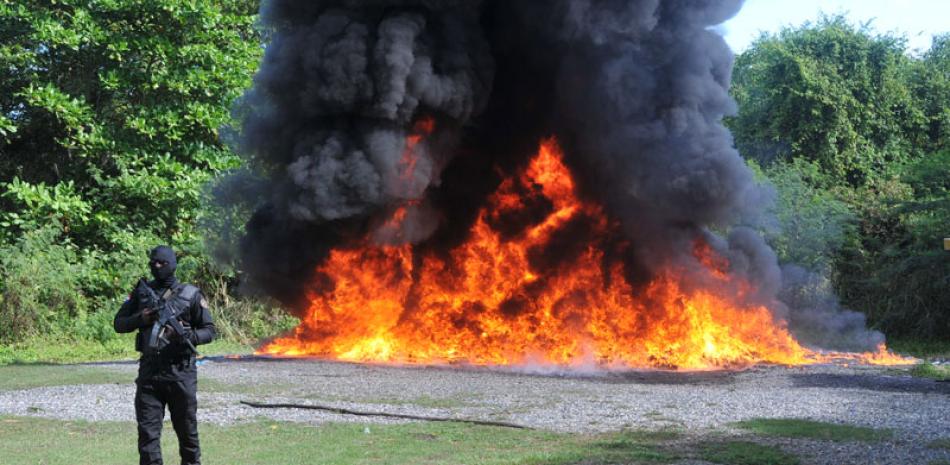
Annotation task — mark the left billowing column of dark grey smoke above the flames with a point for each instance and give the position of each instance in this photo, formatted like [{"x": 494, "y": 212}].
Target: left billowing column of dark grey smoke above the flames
[{"x": 341, "y": 86}]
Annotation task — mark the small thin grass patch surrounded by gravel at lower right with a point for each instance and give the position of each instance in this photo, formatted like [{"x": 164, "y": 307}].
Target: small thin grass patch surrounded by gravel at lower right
[{"x": 796, "y": 428}]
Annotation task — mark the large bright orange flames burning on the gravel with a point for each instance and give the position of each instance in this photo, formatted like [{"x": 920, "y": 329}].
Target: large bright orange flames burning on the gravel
[{"x": 501, "y": 299}]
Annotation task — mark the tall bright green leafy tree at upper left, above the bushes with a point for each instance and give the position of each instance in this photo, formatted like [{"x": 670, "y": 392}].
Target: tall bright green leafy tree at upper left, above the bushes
[{"x": 110, "y": 109}]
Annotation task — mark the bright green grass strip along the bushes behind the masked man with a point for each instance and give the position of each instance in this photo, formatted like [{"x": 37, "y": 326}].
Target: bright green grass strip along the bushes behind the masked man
[{"x": 121, "y": 347}]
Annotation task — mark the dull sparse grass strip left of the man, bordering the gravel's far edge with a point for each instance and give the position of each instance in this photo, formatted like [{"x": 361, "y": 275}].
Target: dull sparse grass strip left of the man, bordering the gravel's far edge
[{"x": 14, "y": 377}]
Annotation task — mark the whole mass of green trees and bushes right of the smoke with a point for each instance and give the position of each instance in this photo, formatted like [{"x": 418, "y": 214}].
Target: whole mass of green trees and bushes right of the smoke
[{"x": 853, "y": 133}]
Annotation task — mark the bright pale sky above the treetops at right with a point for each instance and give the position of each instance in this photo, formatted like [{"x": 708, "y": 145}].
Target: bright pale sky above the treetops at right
[{"x": 918, "y": 20}]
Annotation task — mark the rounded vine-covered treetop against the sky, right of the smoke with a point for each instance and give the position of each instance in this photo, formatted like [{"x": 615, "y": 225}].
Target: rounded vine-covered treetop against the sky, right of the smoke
[{"x": 831, "y": 93}]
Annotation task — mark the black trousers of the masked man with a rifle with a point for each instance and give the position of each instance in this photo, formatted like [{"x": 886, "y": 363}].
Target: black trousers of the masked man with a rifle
[{"x": 151, "y": 397}]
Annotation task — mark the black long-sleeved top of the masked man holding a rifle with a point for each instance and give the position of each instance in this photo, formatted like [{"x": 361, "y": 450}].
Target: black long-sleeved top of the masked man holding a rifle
[{"x": 175, "y": 361}]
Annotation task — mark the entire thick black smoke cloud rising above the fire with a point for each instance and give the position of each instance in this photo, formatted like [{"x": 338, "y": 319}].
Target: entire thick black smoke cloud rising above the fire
[{"x": 634, "y": 90}]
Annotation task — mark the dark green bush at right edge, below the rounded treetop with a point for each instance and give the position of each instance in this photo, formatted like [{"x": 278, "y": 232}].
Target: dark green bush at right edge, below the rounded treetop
[{"x": 896, "y": 268}]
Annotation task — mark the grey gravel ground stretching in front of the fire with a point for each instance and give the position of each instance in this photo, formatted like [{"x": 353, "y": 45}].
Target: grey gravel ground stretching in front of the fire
[{"x": 702, "y": 403}]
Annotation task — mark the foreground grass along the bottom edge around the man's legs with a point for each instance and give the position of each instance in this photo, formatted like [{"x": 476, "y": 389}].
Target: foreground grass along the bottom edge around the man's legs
[{"x": 54, "y": 442}]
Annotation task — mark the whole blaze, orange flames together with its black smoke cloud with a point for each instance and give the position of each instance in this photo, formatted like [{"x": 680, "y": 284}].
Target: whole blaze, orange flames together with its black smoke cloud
[{"x": 413, "y": 217}]
